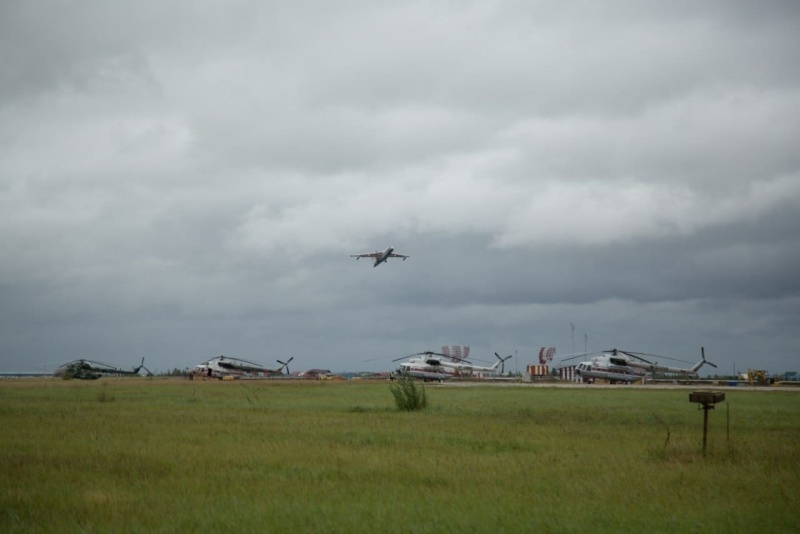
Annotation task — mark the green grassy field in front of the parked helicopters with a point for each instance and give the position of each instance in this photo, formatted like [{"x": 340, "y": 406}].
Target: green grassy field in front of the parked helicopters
[{"x": 142, "y": 455}]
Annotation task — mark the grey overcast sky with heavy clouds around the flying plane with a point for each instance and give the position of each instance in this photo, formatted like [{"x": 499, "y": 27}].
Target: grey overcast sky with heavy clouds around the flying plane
[{"x": 180, "y": 180}]
